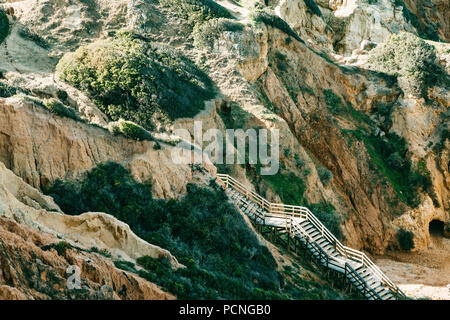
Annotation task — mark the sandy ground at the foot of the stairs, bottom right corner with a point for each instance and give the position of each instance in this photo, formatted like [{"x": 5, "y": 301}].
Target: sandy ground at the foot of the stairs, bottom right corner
[{"x": 421, "y": 274}]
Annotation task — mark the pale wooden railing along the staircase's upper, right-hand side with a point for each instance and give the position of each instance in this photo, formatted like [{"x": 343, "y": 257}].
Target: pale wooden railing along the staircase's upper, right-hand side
[{"x": 282, "y": 210}]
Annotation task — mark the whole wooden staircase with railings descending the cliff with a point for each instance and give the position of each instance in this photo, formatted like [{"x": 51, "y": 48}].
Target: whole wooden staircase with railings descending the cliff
[{"x": 304, "y": 230}]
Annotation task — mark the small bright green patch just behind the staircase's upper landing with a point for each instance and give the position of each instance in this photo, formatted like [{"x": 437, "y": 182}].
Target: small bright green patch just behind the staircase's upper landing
[{"x": 289, "y": 187}]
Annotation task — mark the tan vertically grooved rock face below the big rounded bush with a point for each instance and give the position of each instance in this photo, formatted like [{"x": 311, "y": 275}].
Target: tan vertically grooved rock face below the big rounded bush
[{"x": 41, "y": 147}]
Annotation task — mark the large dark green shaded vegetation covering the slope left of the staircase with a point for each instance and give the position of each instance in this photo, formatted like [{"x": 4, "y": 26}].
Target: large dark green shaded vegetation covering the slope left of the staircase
[{"x": 224, "y": 258}]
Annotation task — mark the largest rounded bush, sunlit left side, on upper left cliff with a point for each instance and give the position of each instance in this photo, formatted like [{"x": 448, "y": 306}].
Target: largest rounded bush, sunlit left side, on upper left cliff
[{"x": 130, "y": 78}]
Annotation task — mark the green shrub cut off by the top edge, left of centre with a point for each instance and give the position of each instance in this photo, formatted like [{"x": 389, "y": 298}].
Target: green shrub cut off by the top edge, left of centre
[{"x": 197, "y": 11}]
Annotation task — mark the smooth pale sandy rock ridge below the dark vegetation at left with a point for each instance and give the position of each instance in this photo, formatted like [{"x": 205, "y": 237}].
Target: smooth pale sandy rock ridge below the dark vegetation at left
[{"x": 27, "y": 205}]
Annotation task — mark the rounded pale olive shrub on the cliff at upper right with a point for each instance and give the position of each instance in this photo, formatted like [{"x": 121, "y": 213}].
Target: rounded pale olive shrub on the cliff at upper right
[{"x": 410, "y": 58}]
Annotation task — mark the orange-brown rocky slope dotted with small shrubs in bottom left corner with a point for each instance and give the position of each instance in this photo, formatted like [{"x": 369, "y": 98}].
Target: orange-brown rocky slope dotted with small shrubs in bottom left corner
[{"x": 29, "y": 270}]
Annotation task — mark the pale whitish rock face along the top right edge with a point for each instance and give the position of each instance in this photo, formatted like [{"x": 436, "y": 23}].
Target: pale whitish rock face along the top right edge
[{"x": 343, "y": 26}]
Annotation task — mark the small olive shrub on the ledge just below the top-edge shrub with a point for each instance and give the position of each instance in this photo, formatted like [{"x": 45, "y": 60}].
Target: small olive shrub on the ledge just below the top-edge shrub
[{"x": 207, "y": 33}]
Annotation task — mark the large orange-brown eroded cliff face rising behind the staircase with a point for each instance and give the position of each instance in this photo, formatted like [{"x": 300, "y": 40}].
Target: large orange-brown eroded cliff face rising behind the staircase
[{"x": 294, "y": 77}]
